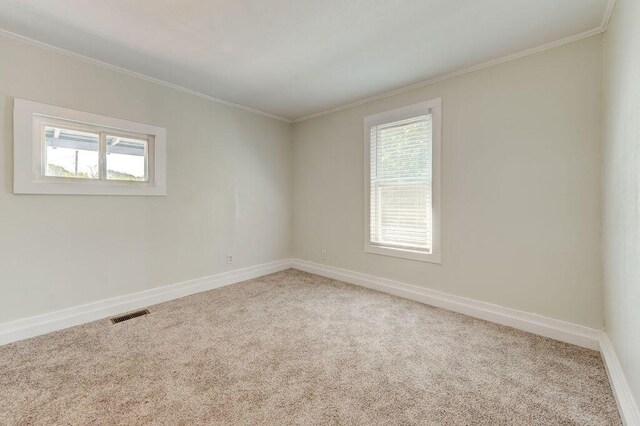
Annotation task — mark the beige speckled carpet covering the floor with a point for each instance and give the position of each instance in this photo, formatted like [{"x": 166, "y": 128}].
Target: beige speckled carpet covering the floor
[{"x": 297, "y": 348}]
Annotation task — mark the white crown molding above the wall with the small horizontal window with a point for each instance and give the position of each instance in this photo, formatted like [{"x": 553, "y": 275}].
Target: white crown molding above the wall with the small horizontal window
[{"x": 130, "y": 73}]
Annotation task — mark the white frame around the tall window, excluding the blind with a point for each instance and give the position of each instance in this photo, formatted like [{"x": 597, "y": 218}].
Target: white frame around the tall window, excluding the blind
[{"x": 435, "y": 107}]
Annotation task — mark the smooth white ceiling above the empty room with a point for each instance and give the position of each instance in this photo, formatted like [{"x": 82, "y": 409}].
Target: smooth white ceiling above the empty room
[{"x": 294, "y": 58}]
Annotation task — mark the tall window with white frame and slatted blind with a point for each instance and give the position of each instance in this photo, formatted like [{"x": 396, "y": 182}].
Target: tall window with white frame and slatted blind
[{"x": 402, "y": 212}]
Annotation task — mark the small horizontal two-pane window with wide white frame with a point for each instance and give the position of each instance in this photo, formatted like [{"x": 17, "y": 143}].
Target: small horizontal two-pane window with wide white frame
[{"x": 62, "y": 151}]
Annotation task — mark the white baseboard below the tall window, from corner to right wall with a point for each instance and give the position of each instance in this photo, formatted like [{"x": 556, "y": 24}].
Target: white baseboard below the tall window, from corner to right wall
[{"x": 537, "y": 324}]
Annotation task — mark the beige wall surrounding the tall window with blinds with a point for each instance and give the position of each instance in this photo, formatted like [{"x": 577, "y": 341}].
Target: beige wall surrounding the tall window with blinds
[{"x": 521, "y": 153}]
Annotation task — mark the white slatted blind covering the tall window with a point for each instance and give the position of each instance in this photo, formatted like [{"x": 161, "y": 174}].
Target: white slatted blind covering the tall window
[{"x": 401, "y": 196}]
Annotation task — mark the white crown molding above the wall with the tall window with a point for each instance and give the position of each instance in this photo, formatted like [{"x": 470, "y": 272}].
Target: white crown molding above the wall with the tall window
[{"x": 458, "y": 73}]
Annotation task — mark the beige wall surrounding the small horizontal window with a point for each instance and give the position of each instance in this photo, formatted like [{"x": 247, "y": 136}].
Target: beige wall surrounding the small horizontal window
[{"x": 229, "y": 191}]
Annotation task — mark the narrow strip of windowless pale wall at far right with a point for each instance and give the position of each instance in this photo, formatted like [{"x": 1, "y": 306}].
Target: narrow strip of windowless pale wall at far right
[{"x": 622, "y": 188}]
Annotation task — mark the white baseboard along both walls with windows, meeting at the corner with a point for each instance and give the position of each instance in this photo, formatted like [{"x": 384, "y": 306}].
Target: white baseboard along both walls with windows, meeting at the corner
[{"x": 537, "y": 324}]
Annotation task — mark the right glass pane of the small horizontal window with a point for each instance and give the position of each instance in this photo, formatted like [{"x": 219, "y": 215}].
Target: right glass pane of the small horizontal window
[{"x": 126, "y": 158}]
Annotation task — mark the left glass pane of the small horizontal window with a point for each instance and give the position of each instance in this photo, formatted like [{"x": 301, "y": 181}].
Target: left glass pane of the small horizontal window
[{"x": 71, "y": 153}]
